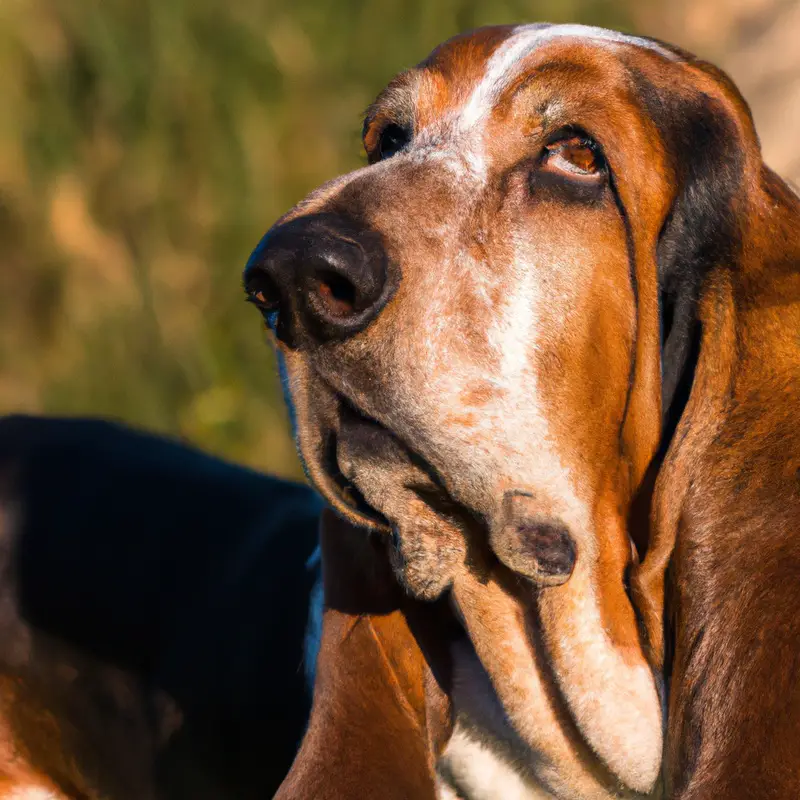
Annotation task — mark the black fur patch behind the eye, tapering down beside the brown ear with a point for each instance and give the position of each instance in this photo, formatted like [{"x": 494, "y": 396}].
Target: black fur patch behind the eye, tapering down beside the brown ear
[{"x": 706, "y": 156}]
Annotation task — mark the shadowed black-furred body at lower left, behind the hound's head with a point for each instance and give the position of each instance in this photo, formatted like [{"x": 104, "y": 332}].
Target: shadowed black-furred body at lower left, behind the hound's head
[{"x": 187, "y": 576}]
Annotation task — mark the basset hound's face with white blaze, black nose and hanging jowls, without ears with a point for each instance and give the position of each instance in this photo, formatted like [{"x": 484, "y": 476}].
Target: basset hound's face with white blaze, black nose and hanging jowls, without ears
[{"x": 484, "y": 335}]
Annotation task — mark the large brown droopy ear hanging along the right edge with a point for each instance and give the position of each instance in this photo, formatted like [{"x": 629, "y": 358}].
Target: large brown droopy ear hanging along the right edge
[{"x": 726, "y": 507}]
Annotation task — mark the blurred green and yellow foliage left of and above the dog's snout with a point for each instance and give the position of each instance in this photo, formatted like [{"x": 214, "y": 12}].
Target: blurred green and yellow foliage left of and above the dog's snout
[{"x": 145, "y": 145}]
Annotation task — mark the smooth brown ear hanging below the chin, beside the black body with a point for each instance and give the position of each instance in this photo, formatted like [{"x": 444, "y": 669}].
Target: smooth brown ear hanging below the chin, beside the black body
[{"x": 378, "y": 717}]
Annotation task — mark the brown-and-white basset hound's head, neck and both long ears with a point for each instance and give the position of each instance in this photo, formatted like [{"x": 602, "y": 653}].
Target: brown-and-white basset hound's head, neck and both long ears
[{"x": 543, "y": 356}]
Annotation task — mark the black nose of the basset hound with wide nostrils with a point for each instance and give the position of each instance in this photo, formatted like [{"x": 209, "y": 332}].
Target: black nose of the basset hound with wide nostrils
[{"x": 324, "y": 275}]
